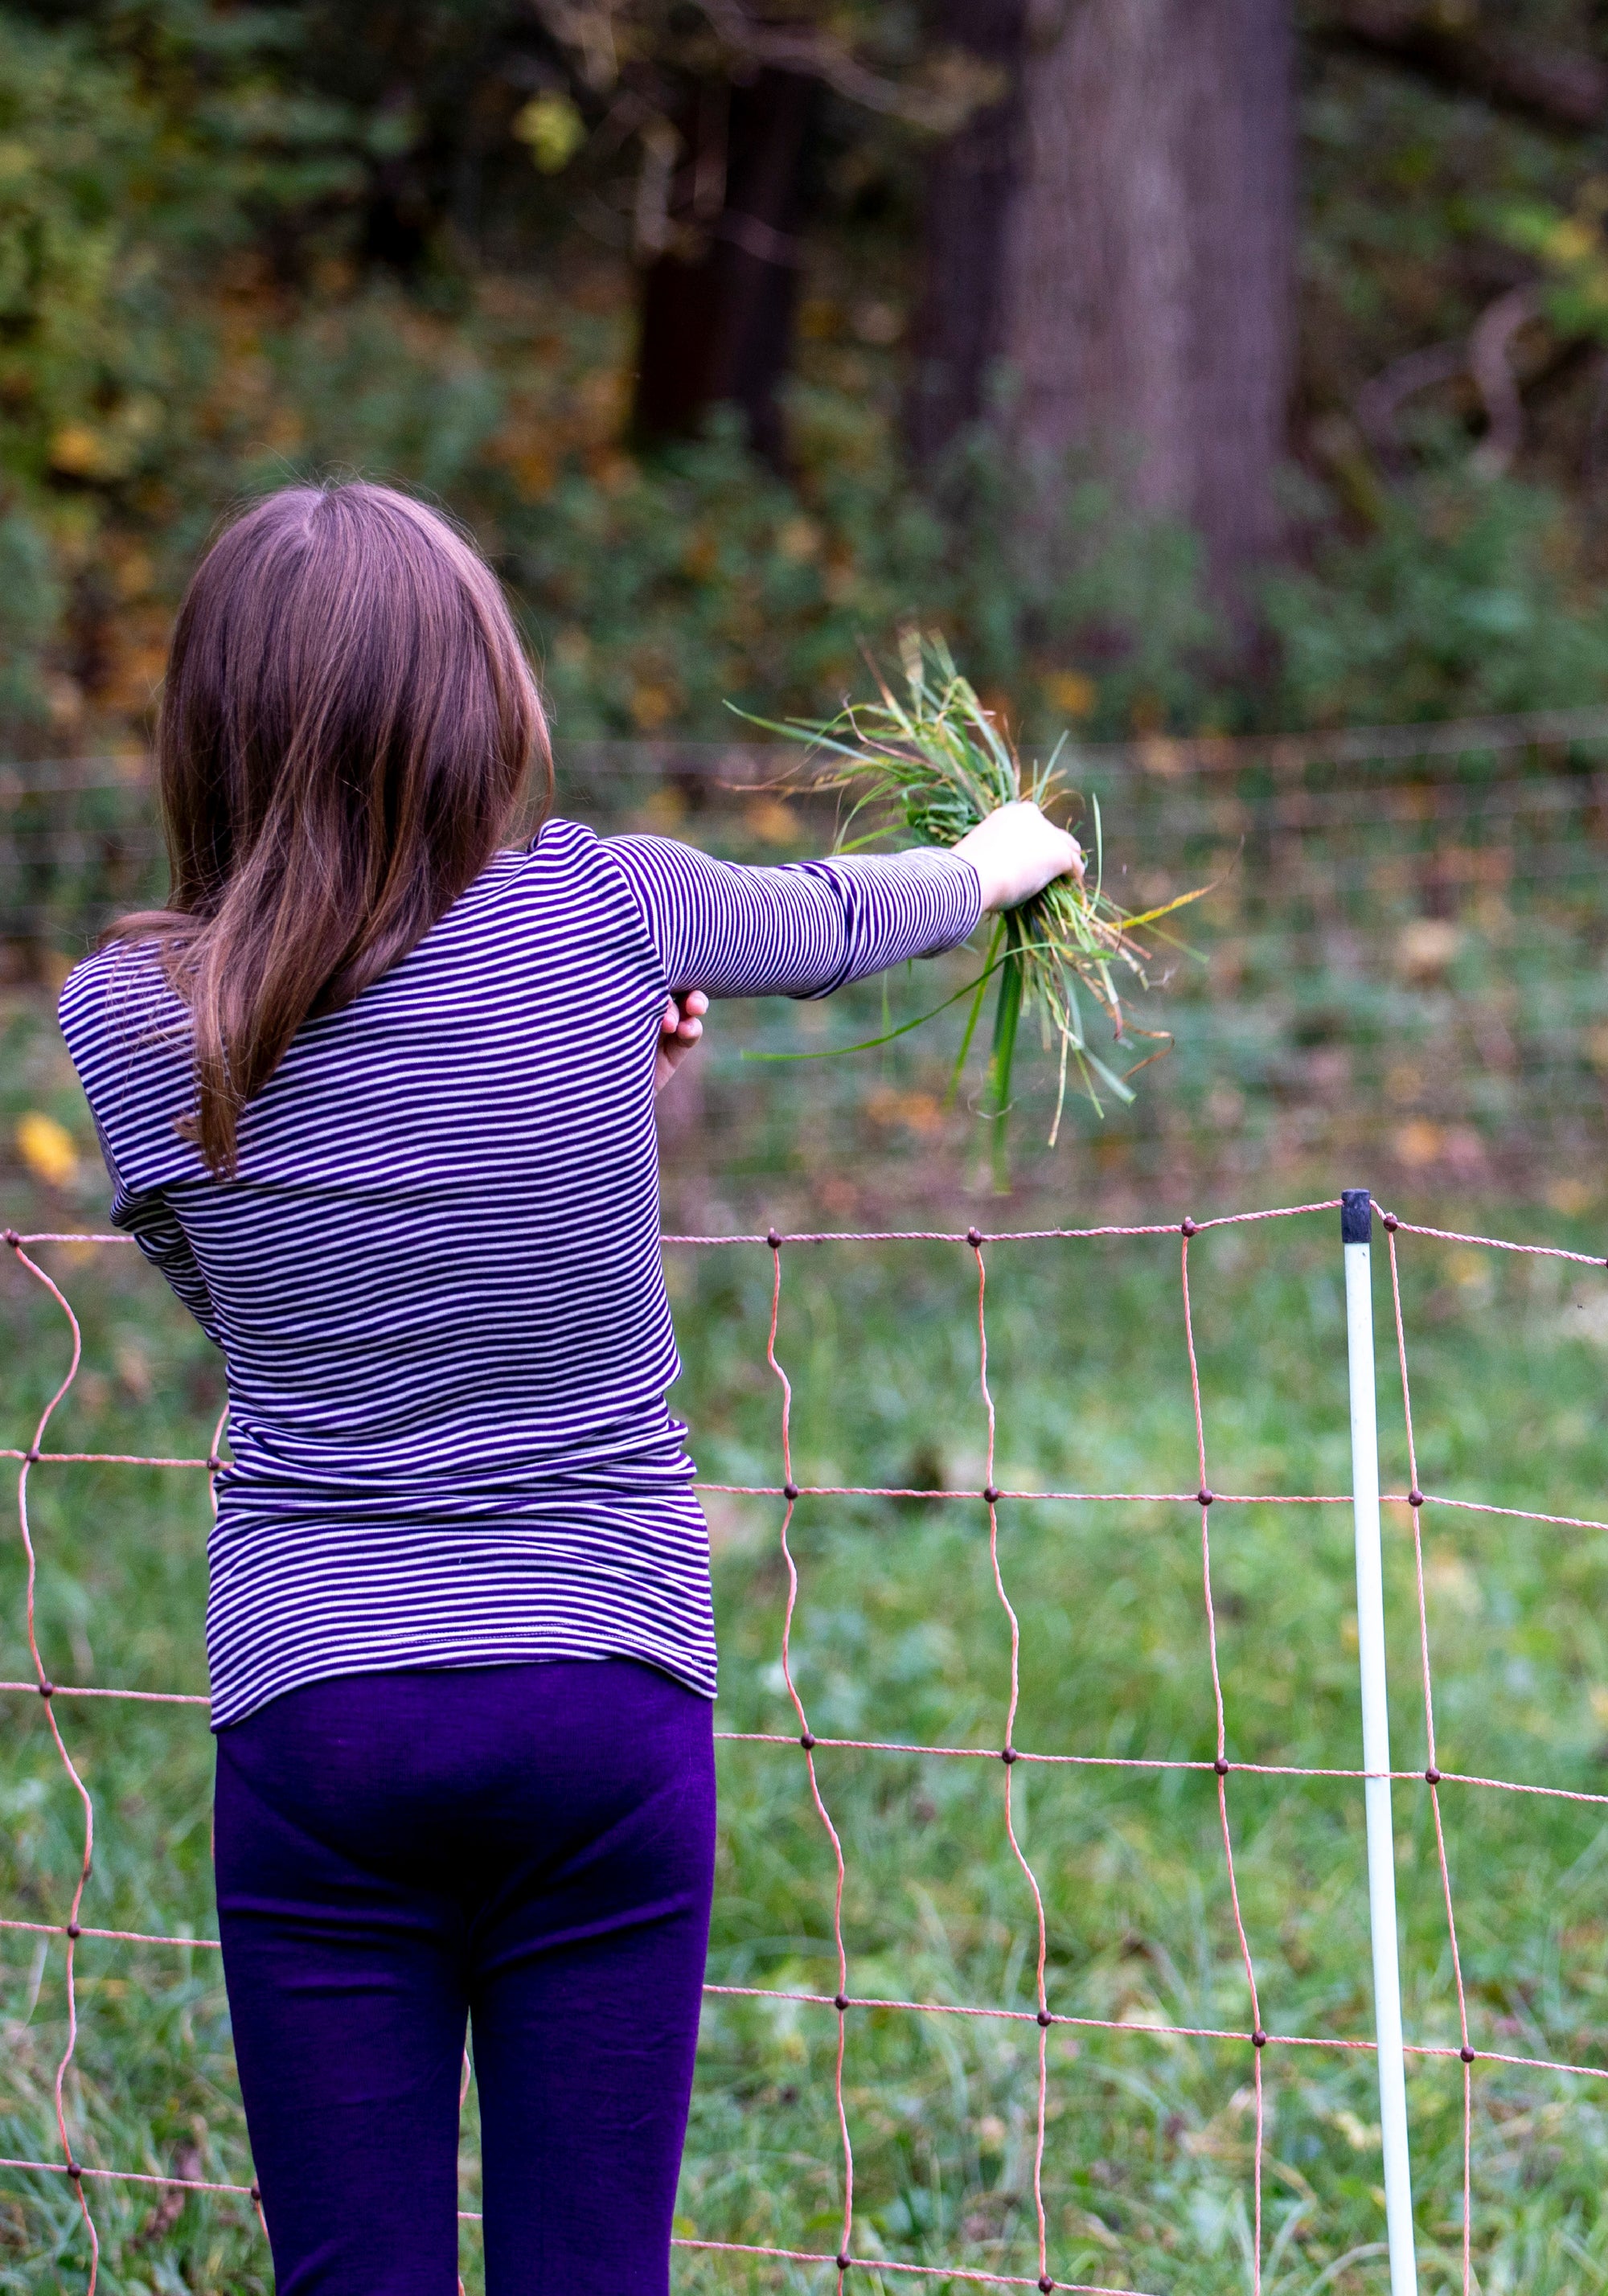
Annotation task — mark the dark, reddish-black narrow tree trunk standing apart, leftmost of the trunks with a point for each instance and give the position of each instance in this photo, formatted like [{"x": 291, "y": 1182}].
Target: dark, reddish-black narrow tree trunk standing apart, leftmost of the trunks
[{"x": 718, "y": 302}]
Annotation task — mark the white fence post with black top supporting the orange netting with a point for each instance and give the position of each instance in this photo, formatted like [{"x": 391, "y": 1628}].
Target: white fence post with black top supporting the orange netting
[{"x": 1356, "y": 1227}]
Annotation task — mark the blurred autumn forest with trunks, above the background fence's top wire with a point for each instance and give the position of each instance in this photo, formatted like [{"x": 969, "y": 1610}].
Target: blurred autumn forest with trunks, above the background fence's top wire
[{"x": 1196, "y": 366}]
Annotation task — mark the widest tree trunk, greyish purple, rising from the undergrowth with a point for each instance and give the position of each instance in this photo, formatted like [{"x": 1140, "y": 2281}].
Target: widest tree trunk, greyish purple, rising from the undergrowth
[{"x": 1150, "y": 270}]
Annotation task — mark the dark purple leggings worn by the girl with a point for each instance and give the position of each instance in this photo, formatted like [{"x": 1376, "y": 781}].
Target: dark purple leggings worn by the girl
[{"x": 525, "y": 1847}]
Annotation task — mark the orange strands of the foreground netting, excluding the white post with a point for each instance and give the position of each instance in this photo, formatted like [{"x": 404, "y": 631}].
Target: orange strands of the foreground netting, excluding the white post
[{"x": 1258, "y": 2033}]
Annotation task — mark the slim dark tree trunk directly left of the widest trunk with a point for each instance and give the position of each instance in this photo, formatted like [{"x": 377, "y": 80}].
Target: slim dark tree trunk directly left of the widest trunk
[{"x": 971, "y": 183}]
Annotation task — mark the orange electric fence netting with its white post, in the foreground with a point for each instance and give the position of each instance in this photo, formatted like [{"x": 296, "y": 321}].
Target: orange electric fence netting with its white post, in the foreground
[{"x": 1049, "y": 1994}]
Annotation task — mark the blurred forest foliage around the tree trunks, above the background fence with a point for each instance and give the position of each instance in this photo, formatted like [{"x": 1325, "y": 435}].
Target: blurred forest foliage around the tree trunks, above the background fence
[{"x": 261, "y": 242}]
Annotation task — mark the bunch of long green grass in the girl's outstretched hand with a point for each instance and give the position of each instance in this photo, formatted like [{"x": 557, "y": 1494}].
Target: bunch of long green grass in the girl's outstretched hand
[{"x": 936, "y": 763}]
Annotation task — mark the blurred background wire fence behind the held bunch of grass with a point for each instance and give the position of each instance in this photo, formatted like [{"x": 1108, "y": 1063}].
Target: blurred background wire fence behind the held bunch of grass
[{"x": 1405, "y": 920}]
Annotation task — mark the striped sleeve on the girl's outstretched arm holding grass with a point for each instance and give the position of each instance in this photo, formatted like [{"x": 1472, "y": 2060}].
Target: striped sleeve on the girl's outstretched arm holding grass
[{"x": 796, "y": 931}]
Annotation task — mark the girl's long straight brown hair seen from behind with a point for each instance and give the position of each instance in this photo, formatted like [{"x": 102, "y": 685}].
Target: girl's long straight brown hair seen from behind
[{"x": 346, "y": 736}]
